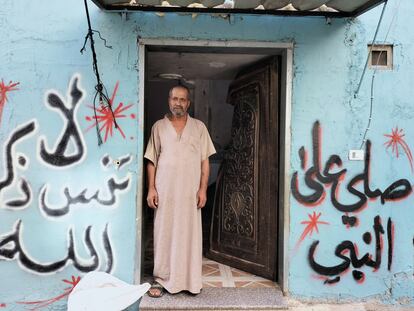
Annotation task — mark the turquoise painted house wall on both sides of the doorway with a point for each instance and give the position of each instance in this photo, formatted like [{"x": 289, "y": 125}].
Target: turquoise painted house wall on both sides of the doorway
[{"x": 40, "y": 45}]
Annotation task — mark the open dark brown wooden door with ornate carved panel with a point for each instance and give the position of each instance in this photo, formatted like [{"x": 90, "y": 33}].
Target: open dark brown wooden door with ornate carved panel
[{"x": 244, "y": 225}]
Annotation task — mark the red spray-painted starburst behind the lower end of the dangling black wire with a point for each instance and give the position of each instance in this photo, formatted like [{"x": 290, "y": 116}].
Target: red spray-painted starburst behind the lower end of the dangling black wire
[{"x": 105, "y": 119}]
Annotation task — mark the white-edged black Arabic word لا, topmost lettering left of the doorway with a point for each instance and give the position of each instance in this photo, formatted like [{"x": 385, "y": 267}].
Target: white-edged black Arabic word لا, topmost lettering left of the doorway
[{"x": 58, "y": 157}]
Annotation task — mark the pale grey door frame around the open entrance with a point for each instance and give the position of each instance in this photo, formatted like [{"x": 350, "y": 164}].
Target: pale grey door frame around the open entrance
[{"x": 285, "y": 49}]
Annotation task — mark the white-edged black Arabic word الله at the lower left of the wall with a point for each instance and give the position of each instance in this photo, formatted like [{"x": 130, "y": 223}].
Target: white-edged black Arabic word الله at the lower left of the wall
[{"x": 16, "y": 252}]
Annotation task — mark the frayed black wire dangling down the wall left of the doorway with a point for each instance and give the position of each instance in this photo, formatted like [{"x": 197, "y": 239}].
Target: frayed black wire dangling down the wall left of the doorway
[{"x": 100, "y": 91}]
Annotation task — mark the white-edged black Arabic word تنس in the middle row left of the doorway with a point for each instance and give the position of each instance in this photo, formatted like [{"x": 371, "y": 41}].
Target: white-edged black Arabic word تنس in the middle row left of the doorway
[{"x": 81, "y": 198}]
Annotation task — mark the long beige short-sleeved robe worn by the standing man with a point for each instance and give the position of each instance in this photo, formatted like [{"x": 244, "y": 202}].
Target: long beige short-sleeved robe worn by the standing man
[{"x": 177, "y": 222}]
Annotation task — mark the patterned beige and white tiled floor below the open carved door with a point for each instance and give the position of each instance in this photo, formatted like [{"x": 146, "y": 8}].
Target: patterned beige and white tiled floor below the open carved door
[{"x": 218, "y": 275}]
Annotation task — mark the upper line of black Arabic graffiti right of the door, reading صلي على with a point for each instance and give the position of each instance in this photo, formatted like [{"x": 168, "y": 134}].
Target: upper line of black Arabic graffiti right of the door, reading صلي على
[{"x": 317, "y": 180}]
